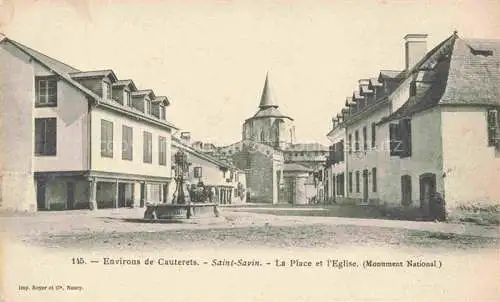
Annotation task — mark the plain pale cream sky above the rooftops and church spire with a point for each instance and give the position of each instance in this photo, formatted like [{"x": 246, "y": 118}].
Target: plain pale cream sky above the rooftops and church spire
[{"x": 211, "y": 57}]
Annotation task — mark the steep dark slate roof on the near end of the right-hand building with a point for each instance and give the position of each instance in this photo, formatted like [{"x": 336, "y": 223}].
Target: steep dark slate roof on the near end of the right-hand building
[{"x": 458, "y": 72}]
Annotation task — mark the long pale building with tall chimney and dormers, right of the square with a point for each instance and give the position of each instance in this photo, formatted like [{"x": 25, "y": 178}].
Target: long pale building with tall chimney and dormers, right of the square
[{"x": 417, "y": 139}]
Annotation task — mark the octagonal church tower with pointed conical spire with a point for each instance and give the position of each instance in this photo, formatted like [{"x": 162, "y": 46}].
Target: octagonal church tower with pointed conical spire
[{"x": 269, "y": 126}]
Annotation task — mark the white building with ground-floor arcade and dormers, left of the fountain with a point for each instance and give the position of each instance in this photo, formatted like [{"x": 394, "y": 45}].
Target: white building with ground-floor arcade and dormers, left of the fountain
[{"x": 78, "y": 139}]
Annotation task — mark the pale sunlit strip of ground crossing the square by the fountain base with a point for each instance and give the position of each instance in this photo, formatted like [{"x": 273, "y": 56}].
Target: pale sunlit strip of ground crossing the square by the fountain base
[{"x": 130, "y": 220}]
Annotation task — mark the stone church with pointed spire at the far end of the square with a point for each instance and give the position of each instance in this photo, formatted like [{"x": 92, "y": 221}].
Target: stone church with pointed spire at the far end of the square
[{"x": 278, "y": 169}]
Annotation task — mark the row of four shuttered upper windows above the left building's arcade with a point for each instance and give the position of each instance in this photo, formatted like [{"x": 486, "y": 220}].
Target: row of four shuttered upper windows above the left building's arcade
[{"x": 128, "y": 143}]
